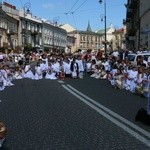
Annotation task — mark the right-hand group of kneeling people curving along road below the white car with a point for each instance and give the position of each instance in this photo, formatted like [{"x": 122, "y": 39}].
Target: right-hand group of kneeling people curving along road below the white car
[{"x": 123, "y": 75}]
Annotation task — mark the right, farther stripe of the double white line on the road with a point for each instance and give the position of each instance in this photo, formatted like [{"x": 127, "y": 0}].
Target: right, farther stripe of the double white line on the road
[{"x": 112, "y": 113}]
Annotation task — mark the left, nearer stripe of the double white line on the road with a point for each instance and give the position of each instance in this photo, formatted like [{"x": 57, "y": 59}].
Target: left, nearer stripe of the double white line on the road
[{"x": 121, "y": 125}]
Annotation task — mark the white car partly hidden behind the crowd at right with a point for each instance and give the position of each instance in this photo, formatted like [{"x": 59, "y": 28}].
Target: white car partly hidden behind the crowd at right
[{"x": 133, "y": 57}]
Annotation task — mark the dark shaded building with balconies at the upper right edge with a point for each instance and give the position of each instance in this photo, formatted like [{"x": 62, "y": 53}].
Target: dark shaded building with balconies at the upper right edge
[{"x": 138, "y": 24}]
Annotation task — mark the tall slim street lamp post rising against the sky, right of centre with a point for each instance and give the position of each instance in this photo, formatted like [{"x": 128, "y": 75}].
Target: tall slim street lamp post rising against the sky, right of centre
[{"x": 105, "y": 41}]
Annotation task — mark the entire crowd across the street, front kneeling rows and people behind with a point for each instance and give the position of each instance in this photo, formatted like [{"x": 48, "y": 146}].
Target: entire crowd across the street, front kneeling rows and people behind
[{"x": 115, "y": 67}]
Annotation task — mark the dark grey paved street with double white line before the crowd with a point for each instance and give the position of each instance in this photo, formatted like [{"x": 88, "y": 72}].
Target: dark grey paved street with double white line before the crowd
[{"x": 71, "y": 114}]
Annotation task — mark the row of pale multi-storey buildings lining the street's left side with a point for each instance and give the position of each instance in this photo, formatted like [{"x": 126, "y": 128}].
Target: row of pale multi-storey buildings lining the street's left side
[{"x": 19, "y": 28}]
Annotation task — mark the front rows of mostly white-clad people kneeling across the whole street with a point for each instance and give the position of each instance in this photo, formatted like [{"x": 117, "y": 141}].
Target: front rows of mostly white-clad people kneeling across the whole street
[{"x": 120, "y": 73}]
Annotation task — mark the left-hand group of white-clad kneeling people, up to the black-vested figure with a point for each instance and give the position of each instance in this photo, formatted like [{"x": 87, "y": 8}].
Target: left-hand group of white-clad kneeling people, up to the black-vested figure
[{"x": 45, "y": 68}]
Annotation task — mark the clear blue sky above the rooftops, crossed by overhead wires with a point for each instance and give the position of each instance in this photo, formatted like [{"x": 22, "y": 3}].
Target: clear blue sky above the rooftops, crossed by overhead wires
[{"x": 77, "y": 12}]
